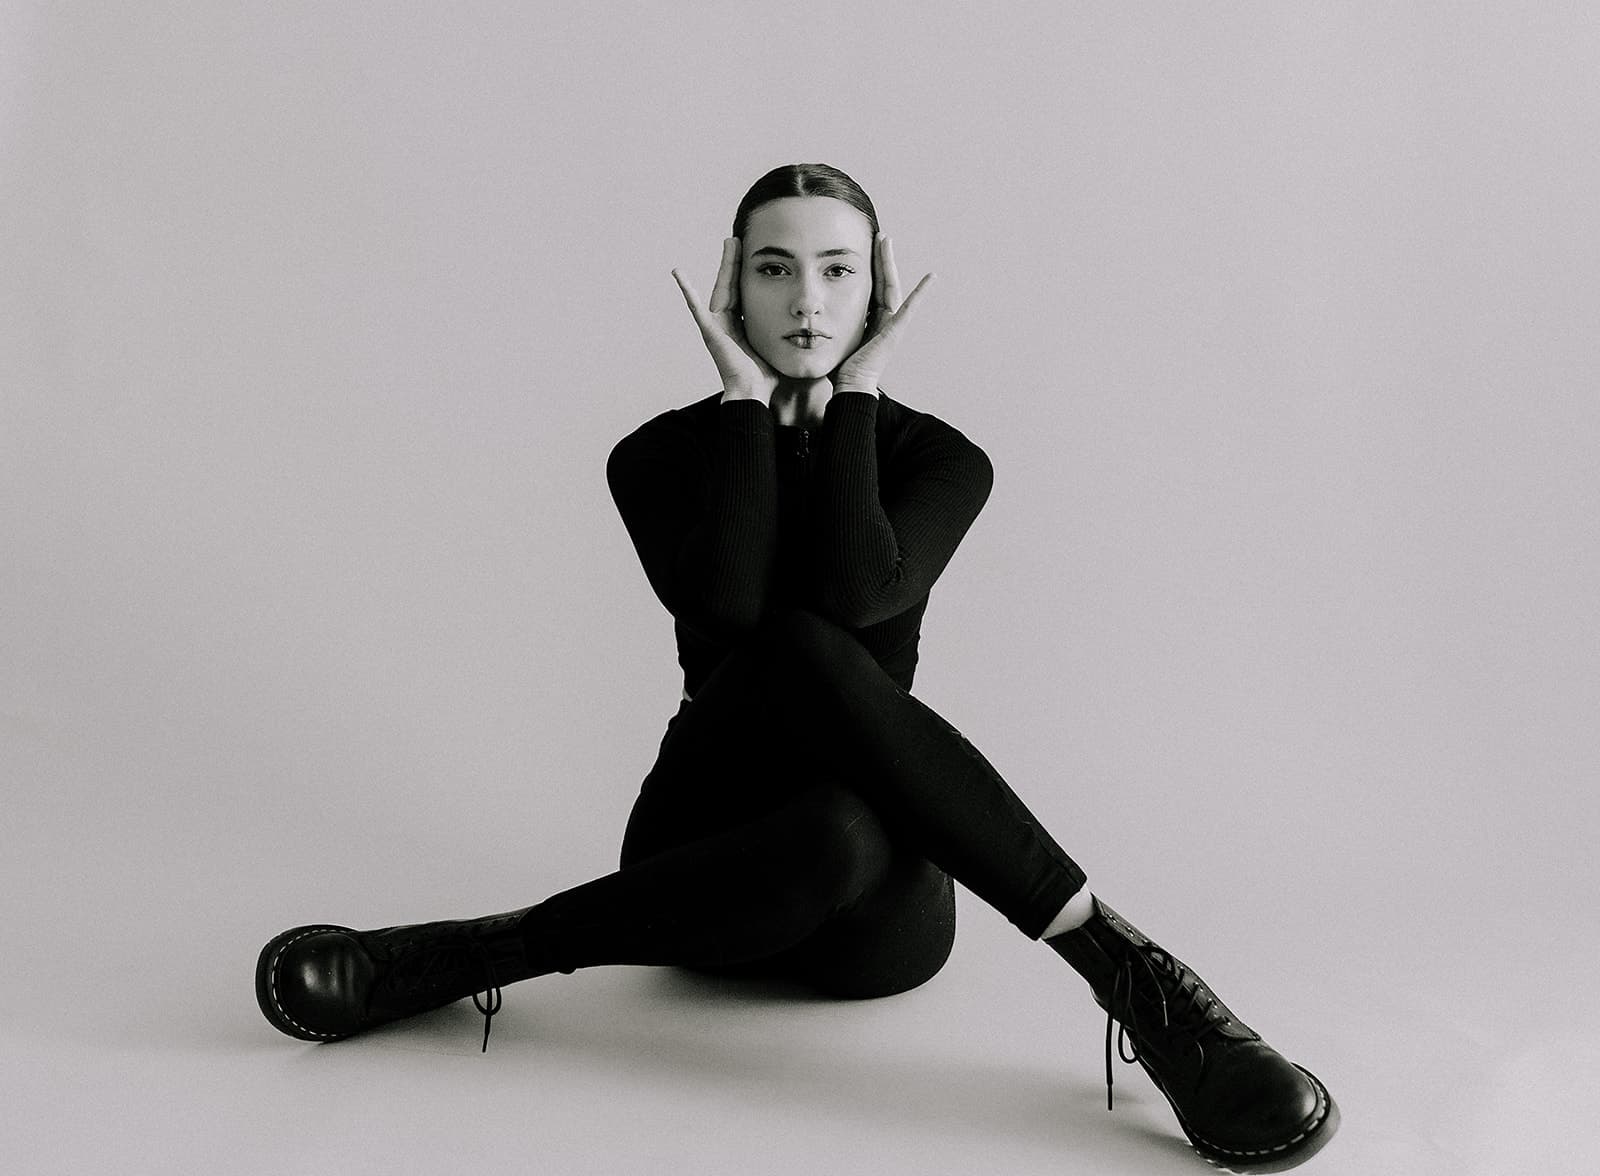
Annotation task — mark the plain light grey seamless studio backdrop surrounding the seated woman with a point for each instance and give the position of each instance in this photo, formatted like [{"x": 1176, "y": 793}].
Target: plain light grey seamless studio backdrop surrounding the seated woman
[{"x": 318, "y": 324}]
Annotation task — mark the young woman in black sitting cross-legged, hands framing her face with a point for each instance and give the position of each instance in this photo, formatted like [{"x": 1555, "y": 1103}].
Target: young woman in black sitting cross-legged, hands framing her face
[{"x": 807, "y": 814}]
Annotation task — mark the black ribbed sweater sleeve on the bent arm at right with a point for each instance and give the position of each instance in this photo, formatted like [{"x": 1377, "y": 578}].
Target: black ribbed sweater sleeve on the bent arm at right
[{"x": 881, "y": 543}]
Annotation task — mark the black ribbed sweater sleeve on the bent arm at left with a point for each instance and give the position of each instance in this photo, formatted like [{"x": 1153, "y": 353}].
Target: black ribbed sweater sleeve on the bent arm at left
[{"x": 706, "y": 532}]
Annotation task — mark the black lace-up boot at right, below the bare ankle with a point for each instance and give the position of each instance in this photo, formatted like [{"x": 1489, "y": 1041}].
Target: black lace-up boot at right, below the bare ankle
[{"x": 1241, "y": 1102}]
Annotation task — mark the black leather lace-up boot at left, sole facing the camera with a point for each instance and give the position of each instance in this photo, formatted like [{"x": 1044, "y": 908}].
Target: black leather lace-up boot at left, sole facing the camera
[{"x": 326, "y": 983}]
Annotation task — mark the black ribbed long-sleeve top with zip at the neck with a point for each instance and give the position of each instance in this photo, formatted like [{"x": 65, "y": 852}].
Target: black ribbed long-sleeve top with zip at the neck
[{"x": 734, "y": 516}]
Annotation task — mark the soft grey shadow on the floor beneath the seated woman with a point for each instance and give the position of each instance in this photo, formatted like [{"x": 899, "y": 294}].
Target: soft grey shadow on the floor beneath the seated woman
[{"x": 754, "y": 1044}]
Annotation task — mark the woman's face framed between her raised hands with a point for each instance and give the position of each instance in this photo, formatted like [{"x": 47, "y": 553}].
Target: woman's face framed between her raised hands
[{"x": 806, "y": 284}]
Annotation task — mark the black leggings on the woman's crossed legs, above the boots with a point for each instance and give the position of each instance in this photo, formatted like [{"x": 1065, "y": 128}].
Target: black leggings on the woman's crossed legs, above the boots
[{"x": 804, "y": 818}]
